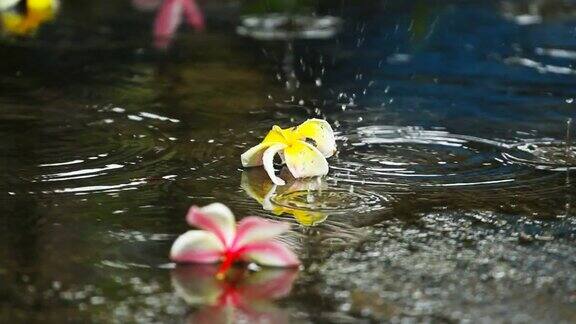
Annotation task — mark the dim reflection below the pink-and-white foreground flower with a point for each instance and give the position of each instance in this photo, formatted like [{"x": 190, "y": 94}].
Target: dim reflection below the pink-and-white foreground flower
[{"x": 243, "y": 295}]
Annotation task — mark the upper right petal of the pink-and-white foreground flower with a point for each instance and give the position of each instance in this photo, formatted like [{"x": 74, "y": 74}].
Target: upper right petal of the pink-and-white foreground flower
[{"x": 256, "y": 229}]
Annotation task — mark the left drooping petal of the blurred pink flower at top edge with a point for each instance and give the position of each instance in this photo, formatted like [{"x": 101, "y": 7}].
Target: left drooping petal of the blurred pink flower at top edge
[{"x": 168, "y": 19}]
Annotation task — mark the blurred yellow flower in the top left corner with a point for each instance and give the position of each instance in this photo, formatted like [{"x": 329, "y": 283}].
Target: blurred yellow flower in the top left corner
[{"x": 27, "y": 21}]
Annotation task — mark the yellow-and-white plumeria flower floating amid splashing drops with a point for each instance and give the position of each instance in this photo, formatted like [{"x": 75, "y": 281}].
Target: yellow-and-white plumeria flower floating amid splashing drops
[{"x": 303, "y": 159}]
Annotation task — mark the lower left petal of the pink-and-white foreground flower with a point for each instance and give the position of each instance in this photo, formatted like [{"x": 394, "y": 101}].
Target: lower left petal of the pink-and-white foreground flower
[{"x": 196, "y": 247}]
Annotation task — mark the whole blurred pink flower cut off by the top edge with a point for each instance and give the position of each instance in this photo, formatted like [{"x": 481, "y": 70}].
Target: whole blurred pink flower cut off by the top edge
[{"x": 169, "y": 17}]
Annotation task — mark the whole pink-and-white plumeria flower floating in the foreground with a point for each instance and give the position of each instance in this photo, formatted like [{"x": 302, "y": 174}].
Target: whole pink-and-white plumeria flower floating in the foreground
[{"x": 219, "y": 239}]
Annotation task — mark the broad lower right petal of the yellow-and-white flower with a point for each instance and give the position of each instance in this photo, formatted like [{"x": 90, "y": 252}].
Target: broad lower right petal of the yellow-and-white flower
[{"x": 304, "y": 160}]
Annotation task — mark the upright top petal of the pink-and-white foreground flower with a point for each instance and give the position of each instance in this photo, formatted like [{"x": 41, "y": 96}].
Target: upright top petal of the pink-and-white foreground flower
[{"x": 215, "y": 218}]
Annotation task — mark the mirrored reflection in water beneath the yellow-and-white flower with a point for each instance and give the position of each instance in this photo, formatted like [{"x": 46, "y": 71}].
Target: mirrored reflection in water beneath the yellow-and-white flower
[{"x": 260, "y": 187}]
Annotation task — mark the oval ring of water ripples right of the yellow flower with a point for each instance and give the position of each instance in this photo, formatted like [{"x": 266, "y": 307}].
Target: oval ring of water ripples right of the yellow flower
[{"x": 408, "y": 158}]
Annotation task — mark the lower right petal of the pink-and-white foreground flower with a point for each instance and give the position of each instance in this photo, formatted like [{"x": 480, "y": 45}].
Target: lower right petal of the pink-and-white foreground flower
[{"x": 270, "y": 253}]
